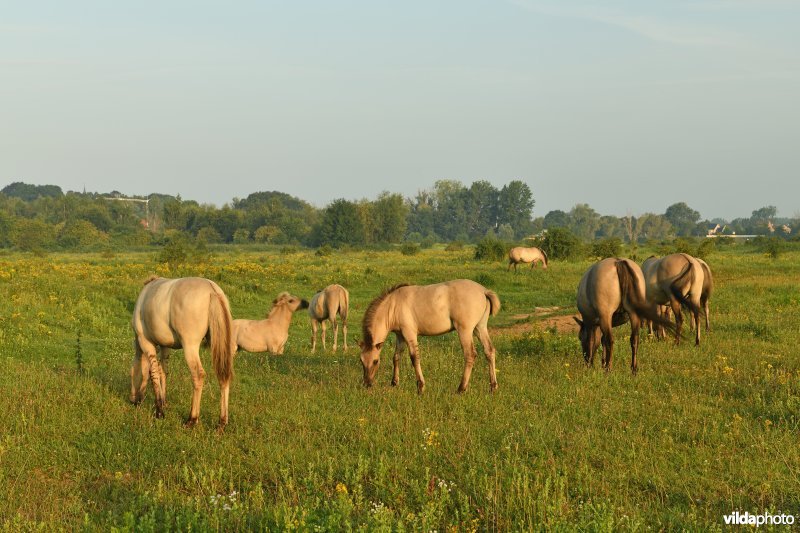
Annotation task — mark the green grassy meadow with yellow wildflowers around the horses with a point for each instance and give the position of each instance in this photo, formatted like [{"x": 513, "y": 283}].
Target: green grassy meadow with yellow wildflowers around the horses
[{"x": 698, "y": 433}]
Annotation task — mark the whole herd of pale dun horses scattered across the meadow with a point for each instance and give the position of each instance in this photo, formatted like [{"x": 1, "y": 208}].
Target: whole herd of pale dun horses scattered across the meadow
[{"x": 183, "y": 313}]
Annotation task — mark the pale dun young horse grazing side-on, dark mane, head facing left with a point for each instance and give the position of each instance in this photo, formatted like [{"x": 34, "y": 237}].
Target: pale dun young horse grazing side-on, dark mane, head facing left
[{"x": 410, "y": 310}]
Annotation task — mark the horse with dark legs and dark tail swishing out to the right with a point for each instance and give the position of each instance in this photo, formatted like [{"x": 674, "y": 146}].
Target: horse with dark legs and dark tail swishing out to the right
[{"x": 611, "y": 293}]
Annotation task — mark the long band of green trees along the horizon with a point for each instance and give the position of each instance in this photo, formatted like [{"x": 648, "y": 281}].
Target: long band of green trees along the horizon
[{"x": 44, "y": 217}]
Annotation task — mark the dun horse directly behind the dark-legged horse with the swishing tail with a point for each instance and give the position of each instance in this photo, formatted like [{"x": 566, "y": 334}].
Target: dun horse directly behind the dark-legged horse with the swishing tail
[{"x": 677, "y": 280}]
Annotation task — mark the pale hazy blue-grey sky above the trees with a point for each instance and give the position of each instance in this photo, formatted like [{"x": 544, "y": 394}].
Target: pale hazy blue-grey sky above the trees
[{"x": 629, "y": 106}]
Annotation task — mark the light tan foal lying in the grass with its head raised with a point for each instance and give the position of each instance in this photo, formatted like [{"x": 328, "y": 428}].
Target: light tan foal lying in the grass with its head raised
[{"x": 270, "y": 334}]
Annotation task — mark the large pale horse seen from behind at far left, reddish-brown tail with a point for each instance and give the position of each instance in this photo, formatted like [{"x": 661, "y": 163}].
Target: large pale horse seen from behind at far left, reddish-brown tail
[{"x": 181, "y": 313}]
